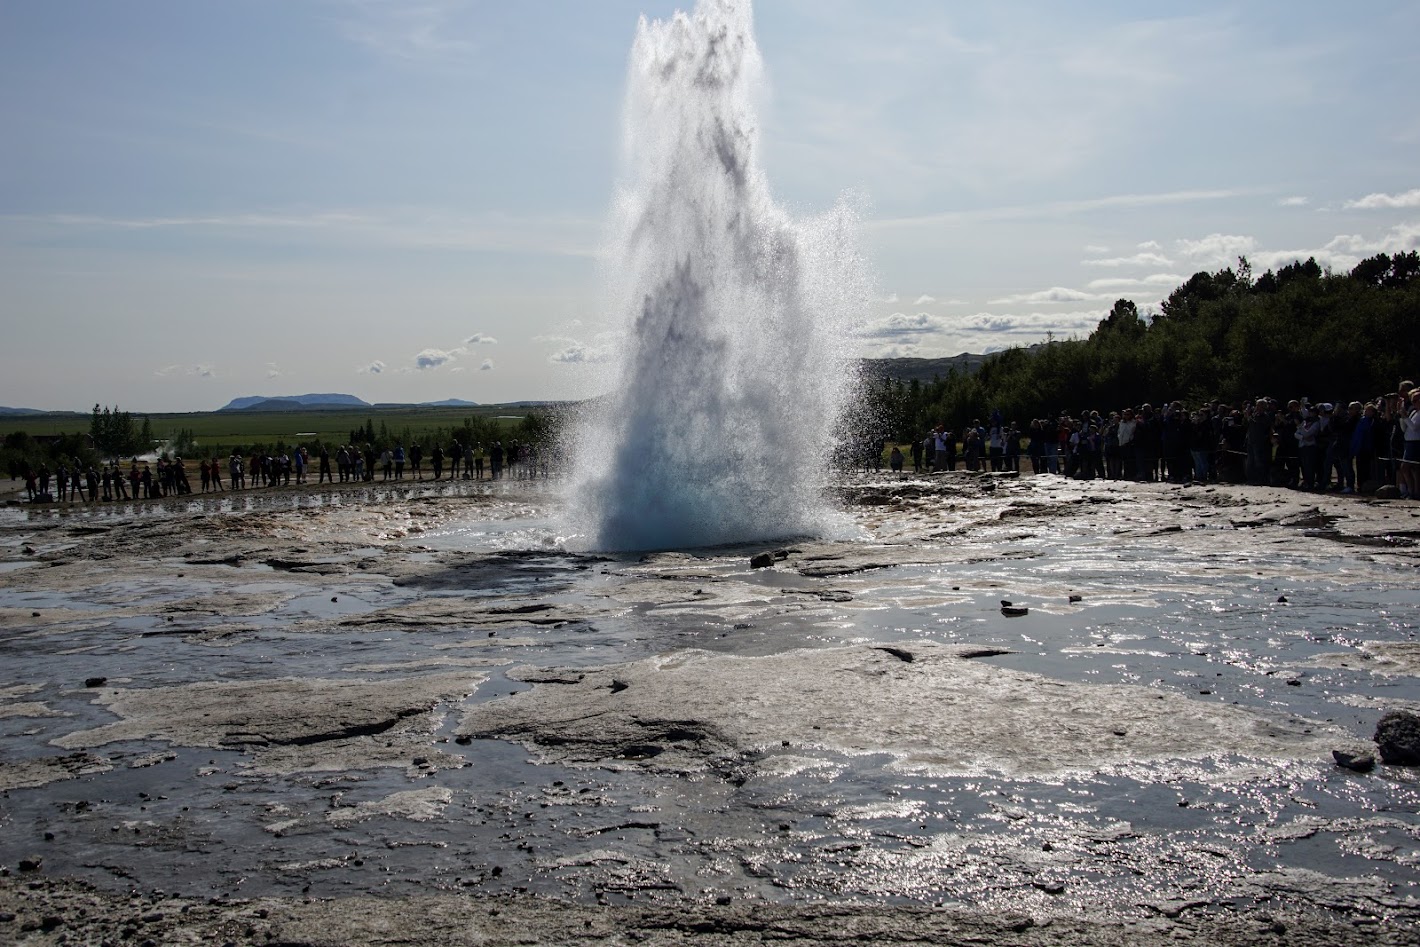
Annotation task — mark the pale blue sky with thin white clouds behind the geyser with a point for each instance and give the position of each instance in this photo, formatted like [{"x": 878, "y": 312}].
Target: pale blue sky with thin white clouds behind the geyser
[{"x": 405, "y": 199}]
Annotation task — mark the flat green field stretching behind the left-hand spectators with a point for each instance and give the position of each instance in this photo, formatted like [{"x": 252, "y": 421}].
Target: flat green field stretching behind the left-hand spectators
[{"x": 279, "y": 427}]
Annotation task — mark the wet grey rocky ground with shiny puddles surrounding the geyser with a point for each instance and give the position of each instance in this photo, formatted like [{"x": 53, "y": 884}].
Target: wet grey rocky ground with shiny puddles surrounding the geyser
[{"x": 999, "y": 711}]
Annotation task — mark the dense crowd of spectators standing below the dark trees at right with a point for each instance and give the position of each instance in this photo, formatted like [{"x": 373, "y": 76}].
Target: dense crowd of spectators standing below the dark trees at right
[{"x": 1344, "y": 448}]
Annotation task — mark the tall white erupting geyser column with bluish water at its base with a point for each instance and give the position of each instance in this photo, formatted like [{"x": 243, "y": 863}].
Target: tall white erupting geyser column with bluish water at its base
[{"x": 733, "y": 337}]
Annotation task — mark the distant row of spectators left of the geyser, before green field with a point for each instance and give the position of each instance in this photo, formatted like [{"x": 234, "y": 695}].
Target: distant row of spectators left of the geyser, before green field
[{"x": 170, "y": 478}]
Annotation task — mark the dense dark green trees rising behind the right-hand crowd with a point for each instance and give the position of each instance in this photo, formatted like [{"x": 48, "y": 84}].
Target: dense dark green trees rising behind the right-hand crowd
[{"x": 1225, "y": 336}]
